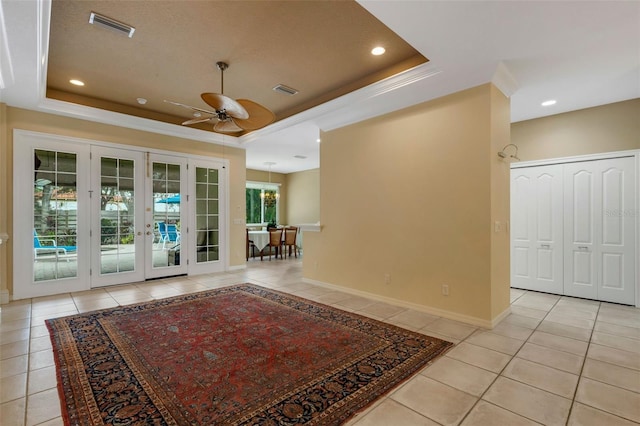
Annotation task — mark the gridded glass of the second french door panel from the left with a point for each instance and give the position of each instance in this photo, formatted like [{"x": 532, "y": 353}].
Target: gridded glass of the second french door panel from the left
[{"x": 117, "y": 216}]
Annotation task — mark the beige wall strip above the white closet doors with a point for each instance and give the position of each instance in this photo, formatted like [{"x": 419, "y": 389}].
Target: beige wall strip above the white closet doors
[{"x": 613, "y": 127}]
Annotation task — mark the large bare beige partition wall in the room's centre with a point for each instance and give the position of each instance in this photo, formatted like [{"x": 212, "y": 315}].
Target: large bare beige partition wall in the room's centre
[{"x": 410, "y": 194}]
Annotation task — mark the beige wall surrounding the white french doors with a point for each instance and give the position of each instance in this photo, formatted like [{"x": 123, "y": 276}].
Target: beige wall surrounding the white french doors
[{"x": 17, "y": 118}]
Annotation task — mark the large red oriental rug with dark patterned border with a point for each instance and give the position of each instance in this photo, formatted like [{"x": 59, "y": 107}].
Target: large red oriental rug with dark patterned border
[{"x": 240, "y": 355}]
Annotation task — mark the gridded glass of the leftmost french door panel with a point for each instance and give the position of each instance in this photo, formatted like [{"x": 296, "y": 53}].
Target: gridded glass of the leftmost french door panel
[{"x": 55, "y": 215}]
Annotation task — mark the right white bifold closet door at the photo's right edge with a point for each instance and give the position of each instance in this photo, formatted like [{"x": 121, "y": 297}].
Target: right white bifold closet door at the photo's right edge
[{"x": 600, "y": 230}]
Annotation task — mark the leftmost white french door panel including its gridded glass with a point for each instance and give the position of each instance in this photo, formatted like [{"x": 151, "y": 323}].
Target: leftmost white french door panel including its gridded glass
[{"x": 51, "y": 250}]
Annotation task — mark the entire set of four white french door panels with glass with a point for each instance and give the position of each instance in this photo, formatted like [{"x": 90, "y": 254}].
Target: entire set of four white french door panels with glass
[{"x": 92, "y": 215}]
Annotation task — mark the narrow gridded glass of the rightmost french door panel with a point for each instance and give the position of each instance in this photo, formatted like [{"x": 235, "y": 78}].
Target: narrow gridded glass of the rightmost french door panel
[{"x": 207, "y": 215}]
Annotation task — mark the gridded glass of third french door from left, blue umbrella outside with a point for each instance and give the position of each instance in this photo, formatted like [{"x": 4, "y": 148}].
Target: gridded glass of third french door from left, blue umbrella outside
[{"x": 166, "y": 214}]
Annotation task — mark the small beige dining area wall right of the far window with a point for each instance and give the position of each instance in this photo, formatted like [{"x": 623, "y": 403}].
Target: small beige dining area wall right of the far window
[{"x": 303, "y": 195}]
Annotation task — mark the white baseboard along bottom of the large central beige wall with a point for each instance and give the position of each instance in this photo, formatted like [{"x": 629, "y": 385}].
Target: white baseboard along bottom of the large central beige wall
[{"x": 478, "y": 322}]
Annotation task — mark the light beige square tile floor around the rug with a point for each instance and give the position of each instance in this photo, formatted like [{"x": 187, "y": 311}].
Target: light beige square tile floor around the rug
[{"x": 555, "y": 360}]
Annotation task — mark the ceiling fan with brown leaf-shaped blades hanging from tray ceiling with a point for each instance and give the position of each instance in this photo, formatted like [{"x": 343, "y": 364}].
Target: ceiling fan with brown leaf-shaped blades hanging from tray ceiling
[{"x": 230, "y": 116}]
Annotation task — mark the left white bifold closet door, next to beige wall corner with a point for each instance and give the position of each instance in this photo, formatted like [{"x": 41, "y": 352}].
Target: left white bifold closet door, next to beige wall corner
[{"x": 536, "y": 229}]
